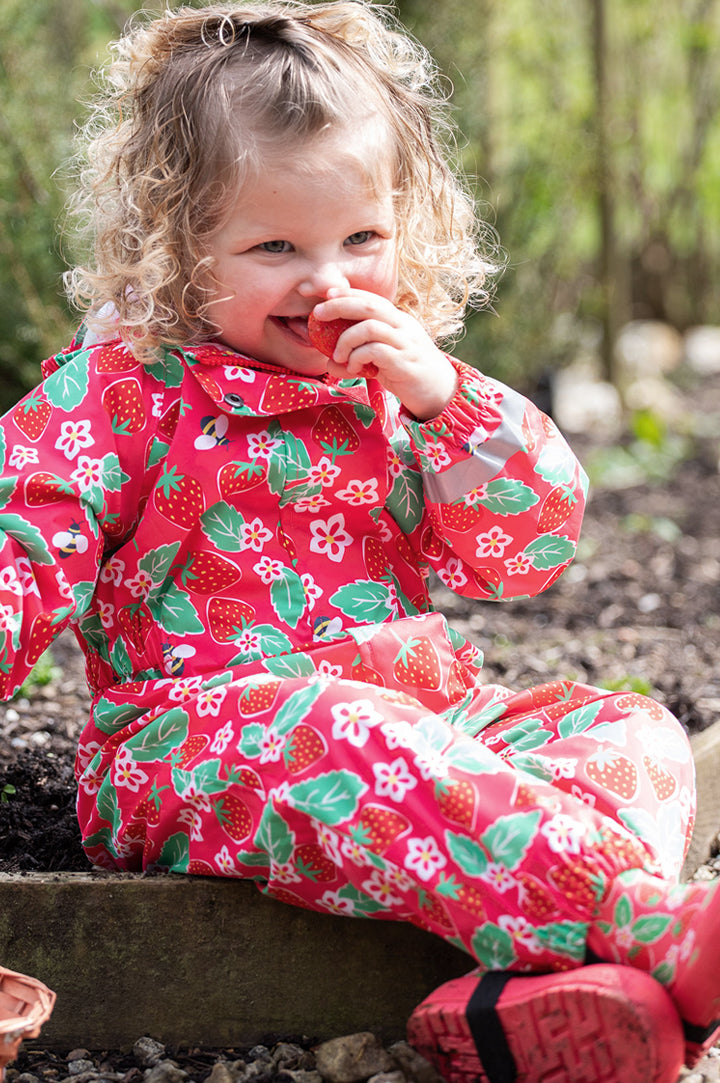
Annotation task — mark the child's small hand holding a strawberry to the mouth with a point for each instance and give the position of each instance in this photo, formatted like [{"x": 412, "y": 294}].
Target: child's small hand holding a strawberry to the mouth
[{"x": 391, "y": 344}]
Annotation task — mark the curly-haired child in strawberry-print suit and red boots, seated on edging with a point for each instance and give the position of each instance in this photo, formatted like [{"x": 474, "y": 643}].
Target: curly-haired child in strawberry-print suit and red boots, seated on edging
[{"x": 240, "y": 531}]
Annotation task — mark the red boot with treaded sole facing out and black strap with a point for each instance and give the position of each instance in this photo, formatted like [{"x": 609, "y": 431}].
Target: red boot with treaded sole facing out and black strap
[{"x": 600, "y": 1024}]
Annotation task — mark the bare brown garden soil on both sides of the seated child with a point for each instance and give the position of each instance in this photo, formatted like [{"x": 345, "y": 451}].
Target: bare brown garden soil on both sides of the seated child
[{"x": 640, "y": 608}]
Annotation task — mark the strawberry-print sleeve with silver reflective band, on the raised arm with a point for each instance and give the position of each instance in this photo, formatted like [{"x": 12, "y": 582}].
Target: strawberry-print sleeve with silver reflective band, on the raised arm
[{"x": 504, "y": 494}]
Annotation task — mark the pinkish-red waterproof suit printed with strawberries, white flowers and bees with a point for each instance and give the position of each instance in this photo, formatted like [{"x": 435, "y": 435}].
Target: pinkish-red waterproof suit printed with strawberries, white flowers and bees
[{"x": 244, "y": 558}]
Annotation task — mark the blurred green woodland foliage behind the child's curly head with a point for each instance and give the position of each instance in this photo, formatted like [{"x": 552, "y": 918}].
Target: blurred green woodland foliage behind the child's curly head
[{"x": 591, "y": 131}]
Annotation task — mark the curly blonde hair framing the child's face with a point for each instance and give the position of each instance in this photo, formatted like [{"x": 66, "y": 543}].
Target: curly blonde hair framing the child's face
[{"x": 191, "y": 102}]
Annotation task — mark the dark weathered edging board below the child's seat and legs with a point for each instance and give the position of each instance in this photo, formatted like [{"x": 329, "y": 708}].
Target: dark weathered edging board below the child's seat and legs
[{"x": 208, "y": 962}]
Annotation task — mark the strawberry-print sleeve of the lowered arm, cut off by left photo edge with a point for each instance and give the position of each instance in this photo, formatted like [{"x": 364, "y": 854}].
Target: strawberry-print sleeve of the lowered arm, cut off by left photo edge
[{"x": 73, "y": 455}]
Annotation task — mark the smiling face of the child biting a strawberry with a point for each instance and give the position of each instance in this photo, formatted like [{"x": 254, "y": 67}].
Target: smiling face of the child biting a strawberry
[{"x": 304, "y": 228}]
